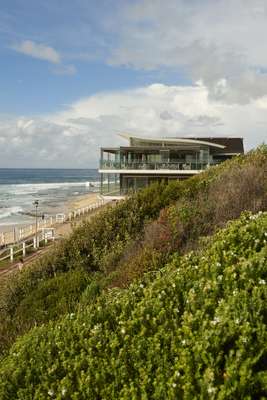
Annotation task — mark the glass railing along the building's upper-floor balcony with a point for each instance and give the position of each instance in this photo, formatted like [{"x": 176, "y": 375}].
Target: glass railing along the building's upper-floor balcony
[{"x": 105, "y": 164}]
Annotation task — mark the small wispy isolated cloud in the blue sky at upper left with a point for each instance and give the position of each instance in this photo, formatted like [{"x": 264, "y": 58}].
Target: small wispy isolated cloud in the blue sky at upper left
[{"x": 37, "y": 50}]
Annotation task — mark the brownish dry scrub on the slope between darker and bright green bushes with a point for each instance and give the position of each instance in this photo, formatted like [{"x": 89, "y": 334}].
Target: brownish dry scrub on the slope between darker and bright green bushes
[{"x": 205, "y": 203}]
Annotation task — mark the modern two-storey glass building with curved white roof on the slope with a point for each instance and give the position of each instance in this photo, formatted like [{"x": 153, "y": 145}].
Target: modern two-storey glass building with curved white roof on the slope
[{"x": 145, "y": 160}]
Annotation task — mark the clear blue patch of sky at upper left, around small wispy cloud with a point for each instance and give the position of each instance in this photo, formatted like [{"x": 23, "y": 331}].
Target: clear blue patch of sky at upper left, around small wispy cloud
[{"x": 80, "y": 32}]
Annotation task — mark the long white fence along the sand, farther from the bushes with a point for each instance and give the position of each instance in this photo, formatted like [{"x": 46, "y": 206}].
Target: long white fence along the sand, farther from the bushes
[{"x": 18, "y": 234}]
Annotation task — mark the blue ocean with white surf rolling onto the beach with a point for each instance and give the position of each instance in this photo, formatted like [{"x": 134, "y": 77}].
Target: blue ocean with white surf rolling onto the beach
[{"x": 19, "y": 188}]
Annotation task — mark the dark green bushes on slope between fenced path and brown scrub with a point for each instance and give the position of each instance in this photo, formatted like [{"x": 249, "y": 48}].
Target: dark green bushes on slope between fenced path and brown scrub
[{"x": 94, "y": 246}]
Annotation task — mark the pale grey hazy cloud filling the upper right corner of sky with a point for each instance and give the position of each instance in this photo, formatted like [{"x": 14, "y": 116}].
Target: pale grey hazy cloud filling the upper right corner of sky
[{"x": 215, "y": 41}]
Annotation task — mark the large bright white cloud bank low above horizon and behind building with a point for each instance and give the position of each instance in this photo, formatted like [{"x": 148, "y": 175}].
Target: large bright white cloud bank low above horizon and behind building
[{"x": 73, "y": 138}]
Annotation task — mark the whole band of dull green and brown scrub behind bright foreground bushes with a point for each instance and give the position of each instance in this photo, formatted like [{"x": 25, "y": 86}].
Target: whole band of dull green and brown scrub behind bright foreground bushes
[{"x": 125, "y": 241}]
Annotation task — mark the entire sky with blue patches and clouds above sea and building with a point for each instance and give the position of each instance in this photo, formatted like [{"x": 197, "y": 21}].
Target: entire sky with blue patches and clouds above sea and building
[{"x": 75, "y": 73}]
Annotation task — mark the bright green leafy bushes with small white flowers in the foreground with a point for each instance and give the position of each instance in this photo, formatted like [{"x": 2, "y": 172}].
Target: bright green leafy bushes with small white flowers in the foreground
[{"x": 194, "y": 329}]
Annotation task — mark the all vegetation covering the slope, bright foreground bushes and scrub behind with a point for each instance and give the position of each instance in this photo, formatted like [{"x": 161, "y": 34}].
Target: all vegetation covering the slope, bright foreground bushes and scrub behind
[{"x": 143, "y": 302}]
